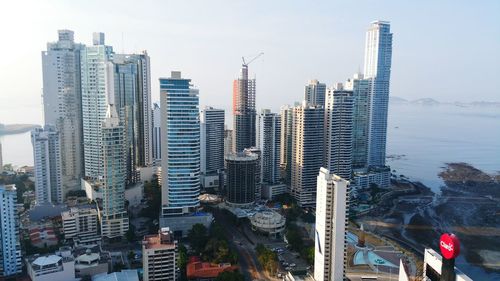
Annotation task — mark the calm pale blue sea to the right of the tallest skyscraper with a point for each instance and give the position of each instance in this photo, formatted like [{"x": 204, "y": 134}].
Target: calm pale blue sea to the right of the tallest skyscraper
[{"x": 425, "y": 138}]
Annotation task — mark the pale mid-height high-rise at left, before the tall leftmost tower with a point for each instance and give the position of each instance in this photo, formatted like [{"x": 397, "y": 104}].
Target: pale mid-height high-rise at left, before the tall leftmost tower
[{"x": 47, "y": 165}]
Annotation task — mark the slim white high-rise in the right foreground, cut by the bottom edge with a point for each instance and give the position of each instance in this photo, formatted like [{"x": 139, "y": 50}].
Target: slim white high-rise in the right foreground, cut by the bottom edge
[{"x": 331, "y": 220}]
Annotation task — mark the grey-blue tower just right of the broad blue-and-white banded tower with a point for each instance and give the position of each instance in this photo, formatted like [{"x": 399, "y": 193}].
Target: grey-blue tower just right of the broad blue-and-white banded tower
[{"x": 212, "y": 145}]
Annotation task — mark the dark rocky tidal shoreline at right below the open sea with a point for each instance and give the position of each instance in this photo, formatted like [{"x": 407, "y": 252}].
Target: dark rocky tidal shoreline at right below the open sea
[{"x": 468, "y": 205}]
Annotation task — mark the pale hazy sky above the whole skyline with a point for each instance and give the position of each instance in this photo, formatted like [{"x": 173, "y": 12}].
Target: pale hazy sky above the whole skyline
[{"x": 446, "y": 50}]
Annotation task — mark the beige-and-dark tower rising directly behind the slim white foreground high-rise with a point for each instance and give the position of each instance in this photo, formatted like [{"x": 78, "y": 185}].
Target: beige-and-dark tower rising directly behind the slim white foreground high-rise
[{"x": 307, "y": 152}]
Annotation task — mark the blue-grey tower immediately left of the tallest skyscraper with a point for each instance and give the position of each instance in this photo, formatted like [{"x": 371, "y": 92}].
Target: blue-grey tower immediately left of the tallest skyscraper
[{"x": 361, "y": 116}]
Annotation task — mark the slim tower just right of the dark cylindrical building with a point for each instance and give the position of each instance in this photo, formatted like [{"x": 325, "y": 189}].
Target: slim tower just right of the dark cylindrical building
[{"x": 269, "y": 134}]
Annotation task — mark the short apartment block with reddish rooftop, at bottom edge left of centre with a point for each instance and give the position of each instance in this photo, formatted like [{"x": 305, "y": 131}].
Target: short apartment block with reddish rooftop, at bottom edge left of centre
[{"x": 159, "y": 256}]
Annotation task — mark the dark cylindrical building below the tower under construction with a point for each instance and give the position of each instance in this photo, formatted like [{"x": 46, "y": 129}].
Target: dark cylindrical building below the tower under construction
[{"x": 241, "y": 178}]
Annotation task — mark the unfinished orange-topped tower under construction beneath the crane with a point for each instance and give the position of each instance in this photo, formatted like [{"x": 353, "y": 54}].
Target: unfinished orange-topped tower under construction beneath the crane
[{"x": 244, "y": 112}]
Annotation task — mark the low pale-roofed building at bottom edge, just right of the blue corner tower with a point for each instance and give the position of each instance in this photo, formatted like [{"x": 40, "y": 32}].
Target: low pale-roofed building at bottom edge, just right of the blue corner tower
[{"x": 51, "y": 268}]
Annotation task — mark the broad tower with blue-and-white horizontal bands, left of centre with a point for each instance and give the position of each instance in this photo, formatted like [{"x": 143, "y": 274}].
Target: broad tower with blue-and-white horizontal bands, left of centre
[{"x": 180, "y": 127}]
